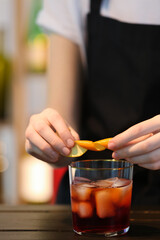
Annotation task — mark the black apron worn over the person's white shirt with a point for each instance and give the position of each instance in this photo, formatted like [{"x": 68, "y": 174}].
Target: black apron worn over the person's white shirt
[{"x": 122, "y": 88}]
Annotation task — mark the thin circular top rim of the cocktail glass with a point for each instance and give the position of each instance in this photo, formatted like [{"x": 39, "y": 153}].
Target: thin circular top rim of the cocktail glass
[{"x": 102, "y": 168}]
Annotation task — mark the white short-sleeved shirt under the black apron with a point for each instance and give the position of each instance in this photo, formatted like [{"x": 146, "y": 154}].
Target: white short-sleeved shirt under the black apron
[{"x": 68, "y": 17}]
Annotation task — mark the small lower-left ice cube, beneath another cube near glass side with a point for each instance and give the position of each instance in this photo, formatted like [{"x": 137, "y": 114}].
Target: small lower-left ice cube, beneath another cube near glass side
[{"x": 85, "y": 209}]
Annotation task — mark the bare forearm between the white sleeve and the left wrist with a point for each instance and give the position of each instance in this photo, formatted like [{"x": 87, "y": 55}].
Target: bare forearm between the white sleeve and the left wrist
[{"x": 64, "y": 73}]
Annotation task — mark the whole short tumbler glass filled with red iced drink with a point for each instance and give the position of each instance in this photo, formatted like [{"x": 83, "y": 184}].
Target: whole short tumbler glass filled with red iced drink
[{"x": 101, "y": 193}]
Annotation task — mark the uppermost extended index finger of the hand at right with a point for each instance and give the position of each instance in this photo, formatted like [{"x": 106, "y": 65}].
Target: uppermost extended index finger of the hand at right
[{"x": 136, "y": 131}]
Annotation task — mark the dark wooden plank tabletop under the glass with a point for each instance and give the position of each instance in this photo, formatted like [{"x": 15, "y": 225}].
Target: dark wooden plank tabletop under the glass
[{"x": 53, "y": 222}]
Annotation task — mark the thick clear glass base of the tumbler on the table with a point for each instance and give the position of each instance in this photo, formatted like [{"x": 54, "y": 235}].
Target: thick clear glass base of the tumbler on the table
[{"x": 106, "y": 234}]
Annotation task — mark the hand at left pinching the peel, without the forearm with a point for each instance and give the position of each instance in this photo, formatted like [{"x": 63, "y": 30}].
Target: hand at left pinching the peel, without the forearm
[{"x": 48, "y": 136}]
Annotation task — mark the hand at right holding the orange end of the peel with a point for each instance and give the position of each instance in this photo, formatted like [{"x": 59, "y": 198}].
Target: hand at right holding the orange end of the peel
[{"x": 140, "y": 144}]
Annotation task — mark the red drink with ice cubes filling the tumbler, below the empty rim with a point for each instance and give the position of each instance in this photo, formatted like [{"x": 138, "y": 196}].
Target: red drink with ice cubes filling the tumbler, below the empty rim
[{"x": 101, "y": 206}]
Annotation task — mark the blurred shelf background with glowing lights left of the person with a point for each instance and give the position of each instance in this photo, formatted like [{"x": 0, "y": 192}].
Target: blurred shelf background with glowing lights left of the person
[{"x": 23, "y": 92}]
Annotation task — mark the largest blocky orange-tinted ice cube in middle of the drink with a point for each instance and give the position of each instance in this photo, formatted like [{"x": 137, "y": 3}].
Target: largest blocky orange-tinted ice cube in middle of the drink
[{"x": 104, "y": 205}]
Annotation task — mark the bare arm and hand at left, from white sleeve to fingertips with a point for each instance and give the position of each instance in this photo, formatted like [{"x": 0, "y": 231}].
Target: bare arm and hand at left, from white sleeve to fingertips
[{"x": 50, "y": 135}]
